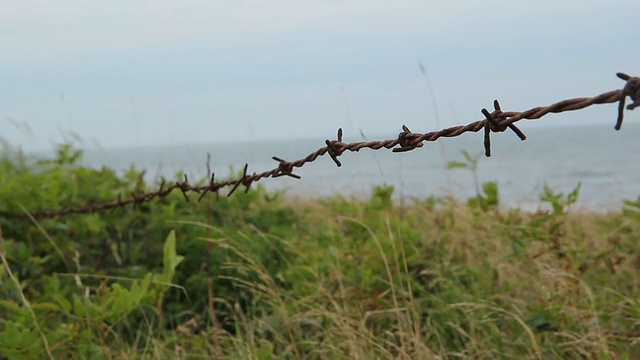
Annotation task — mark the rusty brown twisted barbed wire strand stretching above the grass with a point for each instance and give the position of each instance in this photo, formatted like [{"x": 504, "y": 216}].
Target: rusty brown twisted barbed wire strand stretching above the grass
[{"x": 495, "y": 121}]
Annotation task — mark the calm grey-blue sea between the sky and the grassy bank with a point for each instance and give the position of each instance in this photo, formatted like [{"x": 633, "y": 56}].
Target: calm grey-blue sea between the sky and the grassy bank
[{"x": 600, "y": 158}]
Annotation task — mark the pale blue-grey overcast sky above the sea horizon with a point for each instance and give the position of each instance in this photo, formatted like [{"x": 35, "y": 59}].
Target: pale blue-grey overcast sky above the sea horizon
[{"x": 178, "y": 72}]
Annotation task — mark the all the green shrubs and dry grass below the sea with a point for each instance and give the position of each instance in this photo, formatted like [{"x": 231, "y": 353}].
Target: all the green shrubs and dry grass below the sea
[{"x": 255, "y": 276}]
